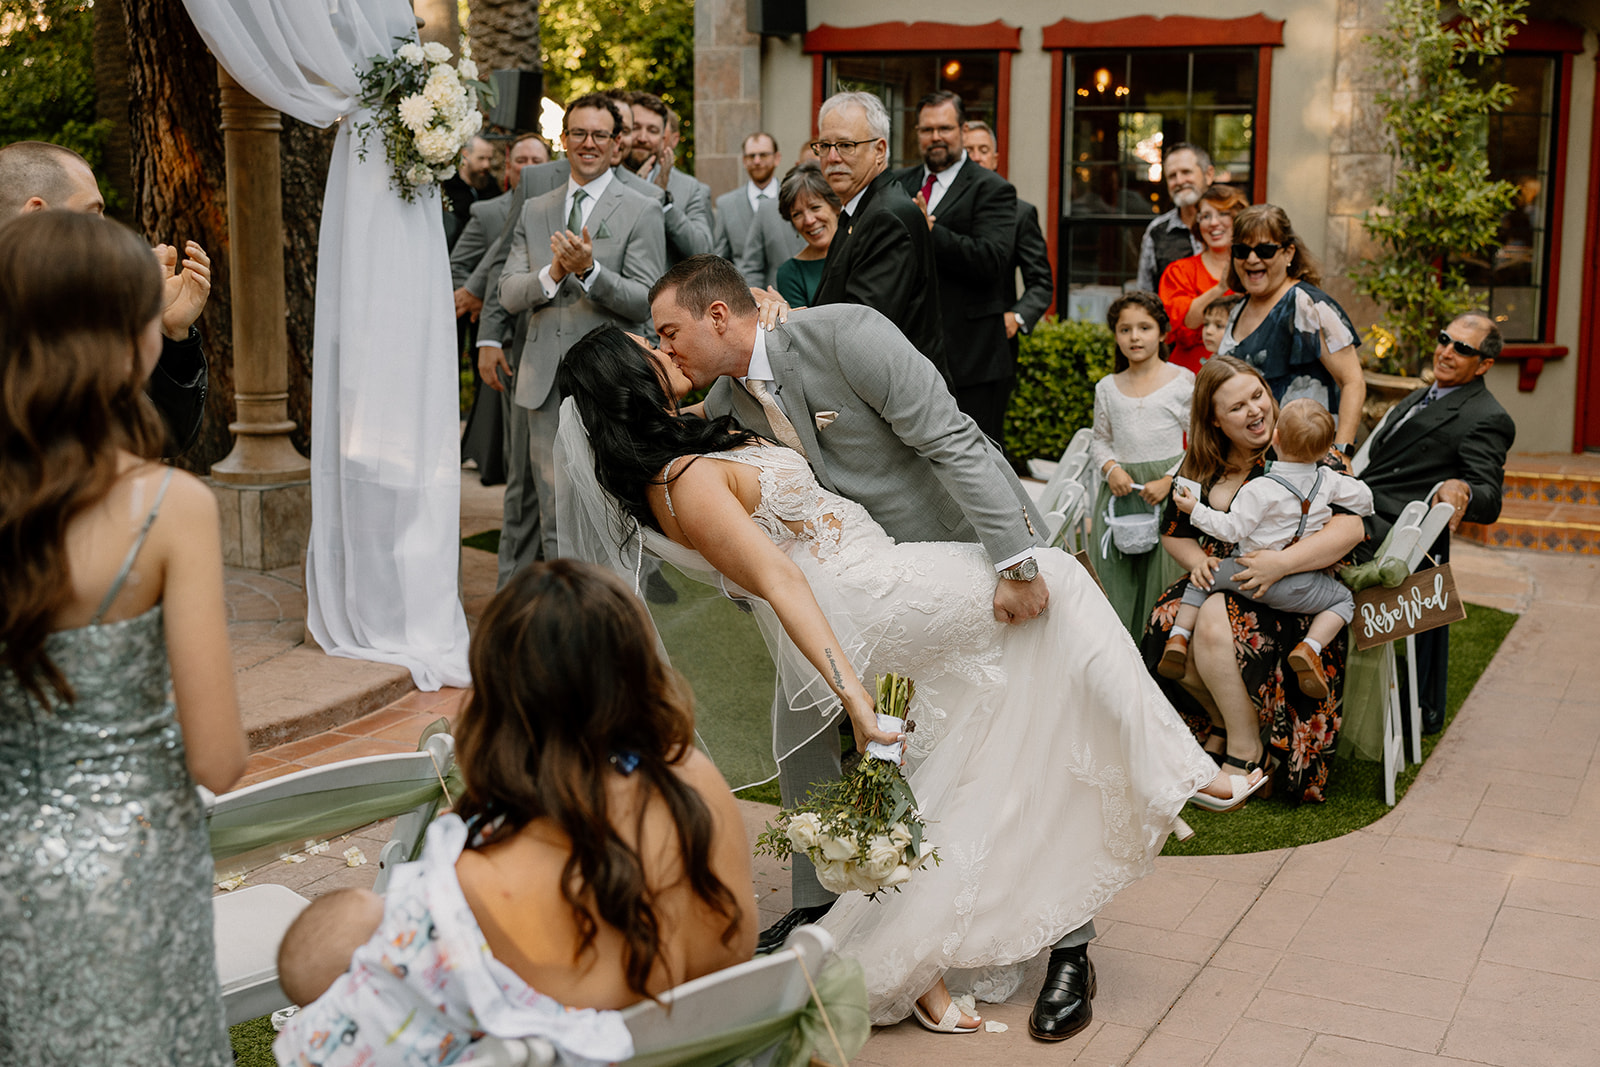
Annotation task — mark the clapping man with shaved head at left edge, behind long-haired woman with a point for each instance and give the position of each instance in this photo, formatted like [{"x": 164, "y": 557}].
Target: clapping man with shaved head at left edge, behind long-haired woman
[{"x": 39, "y": 177}]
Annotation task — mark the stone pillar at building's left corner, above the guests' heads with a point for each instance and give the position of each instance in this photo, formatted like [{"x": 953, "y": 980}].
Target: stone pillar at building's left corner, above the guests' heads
[{"x": 727, "y": 92}]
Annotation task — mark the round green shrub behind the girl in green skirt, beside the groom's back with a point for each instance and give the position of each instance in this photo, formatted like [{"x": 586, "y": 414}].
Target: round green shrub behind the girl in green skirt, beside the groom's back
[{"x": 1057, "y": 370}]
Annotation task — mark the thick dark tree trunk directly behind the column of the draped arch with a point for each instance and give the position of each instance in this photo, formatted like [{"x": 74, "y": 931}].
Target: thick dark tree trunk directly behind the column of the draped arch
[{"x": 180, "y": 193}]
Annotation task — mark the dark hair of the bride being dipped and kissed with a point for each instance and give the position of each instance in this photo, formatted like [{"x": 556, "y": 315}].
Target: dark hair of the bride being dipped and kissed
[{"x": 631, "y": 418}]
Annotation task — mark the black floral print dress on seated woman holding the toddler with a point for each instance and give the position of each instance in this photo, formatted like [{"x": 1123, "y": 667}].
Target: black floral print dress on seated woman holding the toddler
[{"x": 1300, "y": 732}]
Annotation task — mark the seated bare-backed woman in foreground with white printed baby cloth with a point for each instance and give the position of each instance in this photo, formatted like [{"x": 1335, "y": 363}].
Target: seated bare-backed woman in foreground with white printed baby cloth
[{"x": 594, "y": 861}]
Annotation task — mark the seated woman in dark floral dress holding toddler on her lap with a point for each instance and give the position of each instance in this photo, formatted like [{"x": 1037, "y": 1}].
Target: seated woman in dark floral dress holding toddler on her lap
[{"x": 1234, "y": 693}]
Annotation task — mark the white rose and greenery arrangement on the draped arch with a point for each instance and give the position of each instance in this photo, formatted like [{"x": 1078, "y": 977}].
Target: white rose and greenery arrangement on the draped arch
[{"x": 426, "y": 110}]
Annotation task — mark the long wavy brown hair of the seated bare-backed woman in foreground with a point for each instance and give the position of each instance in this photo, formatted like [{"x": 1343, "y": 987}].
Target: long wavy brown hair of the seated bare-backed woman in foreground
[{"x": 567, "y": 685}]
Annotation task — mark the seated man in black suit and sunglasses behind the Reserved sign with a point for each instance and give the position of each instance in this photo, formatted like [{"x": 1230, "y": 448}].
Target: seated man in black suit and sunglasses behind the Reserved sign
[{"x": 1454, "y": 436}]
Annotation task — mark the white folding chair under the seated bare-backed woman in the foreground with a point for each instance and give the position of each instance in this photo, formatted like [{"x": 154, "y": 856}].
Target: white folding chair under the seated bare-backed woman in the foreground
[{"x": 698, "y": 1012}]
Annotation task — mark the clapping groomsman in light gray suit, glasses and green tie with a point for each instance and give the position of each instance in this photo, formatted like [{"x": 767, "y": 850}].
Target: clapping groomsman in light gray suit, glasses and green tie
[{"x": 580, "y": 257}]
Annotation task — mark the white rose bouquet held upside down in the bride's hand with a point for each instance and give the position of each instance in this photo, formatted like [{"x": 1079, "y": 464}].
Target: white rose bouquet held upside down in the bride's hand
[{"x": 865, "y": 831}]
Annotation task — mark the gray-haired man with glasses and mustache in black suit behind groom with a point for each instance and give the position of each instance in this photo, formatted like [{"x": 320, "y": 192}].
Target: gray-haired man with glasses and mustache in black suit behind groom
[{"x": 882, "y": 254}]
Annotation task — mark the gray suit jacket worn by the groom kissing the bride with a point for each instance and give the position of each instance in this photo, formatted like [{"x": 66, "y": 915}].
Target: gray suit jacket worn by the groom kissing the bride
[{"x": 900, "y": 446}]
